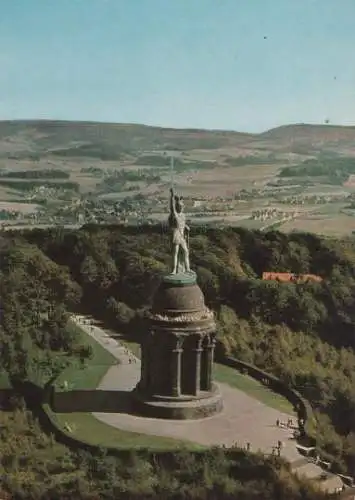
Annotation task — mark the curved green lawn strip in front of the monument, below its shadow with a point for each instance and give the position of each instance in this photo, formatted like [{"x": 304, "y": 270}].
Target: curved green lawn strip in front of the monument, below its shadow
[{"x": 86, "y": 427}]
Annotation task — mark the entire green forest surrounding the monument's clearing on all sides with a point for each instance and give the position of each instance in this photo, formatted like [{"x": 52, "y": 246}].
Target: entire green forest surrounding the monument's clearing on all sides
[{"x": 302, "y": 333}]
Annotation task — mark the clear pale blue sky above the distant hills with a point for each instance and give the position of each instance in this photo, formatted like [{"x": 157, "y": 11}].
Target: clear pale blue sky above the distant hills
[{"x": 245, "y": 65}]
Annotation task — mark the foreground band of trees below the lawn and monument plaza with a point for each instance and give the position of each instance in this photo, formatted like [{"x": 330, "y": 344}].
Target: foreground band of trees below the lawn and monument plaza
[{"x": 32, "y": 465}]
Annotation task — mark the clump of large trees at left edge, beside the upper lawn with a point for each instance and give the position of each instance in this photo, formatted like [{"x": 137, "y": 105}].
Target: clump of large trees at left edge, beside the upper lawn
[{"x": 35, "y": 294}]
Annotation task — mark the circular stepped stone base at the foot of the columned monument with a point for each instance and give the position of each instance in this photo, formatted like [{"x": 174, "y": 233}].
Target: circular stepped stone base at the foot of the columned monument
[{"x": 178, "y": 409}]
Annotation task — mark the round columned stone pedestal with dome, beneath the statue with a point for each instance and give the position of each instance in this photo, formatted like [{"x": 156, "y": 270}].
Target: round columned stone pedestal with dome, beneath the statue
[{"x": 177, "y": 354}]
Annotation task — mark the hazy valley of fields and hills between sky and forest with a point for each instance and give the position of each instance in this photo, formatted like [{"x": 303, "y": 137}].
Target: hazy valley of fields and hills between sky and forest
[{"x": 237, "y": 177}]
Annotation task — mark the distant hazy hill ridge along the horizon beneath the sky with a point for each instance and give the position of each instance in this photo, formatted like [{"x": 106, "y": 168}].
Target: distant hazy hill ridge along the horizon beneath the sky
[{"x": 113, "y": 139}]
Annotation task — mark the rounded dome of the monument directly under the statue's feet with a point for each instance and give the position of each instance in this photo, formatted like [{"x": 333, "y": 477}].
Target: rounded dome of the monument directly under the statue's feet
[{"x": 174, "y": 297}]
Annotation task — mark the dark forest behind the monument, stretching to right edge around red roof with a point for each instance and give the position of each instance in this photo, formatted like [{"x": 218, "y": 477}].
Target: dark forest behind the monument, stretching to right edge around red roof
[{"x": 303, "y": 333}]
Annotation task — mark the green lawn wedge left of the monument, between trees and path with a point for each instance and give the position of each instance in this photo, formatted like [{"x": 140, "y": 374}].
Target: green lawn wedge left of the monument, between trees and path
[{"x": 95, "y": 368}]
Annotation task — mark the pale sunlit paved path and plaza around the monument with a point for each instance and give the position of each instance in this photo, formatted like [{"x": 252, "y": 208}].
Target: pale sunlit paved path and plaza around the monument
[{"x": 243, "y": 420}]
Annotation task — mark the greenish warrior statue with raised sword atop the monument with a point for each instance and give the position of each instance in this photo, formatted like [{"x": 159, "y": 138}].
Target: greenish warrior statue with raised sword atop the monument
[{"x": 178, "y": 226}]
